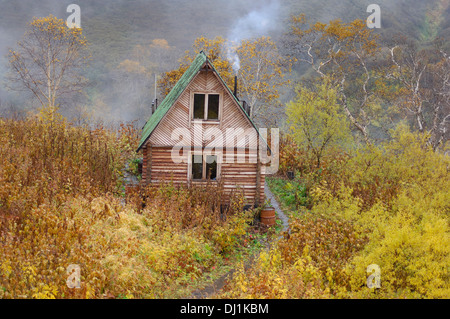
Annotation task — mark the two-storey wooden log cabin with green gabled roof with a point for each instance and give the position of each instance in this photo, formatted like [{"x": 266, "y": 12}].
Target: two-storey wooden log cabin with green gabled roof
[{"x": 201, "y": 133}]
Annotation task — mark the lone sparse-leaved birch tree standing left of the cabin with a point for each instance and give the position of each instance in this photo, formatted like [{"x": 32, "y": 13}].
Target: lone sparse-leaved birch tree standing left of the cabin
[{"x": 48, "y": 60}]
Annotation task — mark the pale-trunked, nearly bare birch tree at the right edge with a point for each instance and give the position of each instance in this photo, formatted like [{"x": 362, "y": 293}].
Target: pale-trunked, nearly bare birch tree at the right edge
[{"x": 423, "y": 78}]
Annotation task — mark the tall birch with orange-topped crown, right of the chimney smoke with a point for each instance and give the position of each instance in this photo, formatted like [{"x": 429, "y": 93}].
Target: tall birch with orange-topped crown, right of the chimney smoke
[{"x": 345, "y": 52}]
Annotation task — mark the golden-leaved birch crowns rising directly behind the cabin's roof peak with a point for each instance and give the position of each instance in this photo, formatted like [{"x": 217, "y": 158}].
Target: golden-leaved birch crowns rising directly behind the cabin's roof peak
[{"x": 261, "y": 74}]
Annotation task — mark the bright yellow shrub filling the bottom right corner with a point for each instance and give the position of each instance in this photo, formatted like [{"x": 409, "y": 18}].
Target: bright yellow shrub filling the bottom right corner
[{"x": 413, "y": 255}]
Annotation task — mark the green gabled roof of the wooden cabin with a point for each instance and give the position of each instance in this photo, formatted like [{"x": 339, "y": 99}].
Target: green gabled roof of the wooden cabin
[{"x": 175, "y": 93}]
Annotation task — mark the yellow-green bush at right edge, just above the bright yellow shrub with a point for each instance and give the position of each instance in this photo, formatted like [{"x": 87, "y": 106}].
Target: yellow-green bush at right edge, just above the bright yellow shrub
[{"x": 379, "y": 173}]
